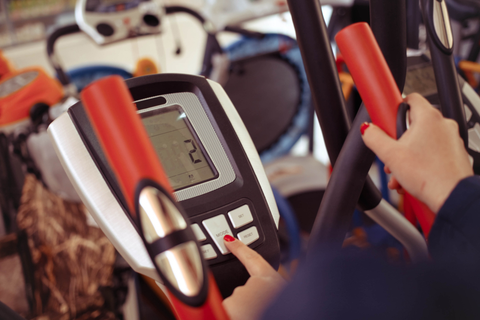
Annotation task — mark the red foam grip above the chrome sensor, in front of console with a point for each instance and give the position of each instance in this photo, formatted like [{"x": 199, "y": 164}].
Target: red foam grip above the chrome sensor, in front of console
[{"x": 122, "y": 135}]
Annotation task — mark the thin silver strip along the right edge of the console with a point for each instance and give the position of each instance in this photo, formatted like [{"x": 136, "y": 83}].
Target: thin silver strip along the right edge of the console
[{"x": 249, "y": 148}]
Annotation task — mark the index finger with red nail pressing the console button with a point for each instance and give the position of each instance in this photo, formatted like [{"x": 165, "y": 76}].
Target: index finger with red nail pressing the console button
[{"x": 253, "y": 262}]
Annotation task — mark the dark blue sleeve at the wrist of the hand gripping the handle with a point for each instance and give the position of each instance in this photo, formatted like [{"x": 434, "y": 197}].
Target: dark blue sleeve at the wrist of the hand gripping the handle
[{"x": 456, "y": 231}]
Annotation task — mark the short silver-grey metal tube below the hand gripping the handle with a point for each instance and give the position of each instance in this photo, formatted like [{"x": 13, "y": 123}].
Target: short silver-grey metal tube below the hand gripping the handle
[{"x": 396, "y": 224}]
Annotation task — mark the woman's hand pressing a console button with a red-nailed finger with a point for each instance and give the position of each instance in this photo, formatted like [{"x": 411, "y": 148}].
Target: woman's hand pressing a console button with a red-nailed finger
[{"x": 250, "y": 300}]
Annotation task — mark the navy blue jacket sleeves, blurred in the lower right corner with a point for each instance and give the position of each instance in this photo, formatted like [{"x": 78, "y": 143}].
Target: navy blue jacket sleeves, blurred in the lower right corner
[{"x": 332, "y": 285}]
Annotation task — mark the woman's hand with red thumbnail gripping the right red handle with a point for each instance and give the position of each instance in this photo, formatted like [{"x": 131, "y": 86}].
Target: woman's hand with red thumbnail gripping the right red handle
[{"x": 428, "y": 160}]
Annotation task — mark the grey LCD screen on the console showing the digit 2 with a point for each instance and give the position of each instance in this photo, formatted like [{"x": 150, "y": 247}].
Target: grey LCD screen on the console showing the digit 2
[{"x": 180, "y": 152}]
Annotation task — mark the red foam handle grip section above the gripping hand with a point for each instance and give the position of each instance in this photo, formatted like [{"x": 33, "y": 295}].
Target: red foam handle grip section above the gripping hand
[{"x": 371, "y": 75}]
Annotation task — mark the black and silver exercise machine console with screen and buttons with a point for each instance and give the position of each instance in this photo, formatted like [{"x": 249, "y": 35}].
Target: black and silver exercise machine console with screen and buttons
[{"x": 211, "y": 163}]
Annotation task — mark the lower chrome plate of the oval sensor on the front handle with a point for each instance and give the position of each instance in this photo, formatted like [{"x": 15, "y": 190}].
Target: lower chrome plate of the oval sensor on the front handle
[{"x": 182, "y": 267}]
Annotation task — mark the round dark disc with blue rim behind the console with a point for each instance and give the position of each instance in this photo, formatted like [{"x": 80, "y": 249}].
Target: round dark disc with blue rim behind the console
[{"x": 266, "y": 82}]
